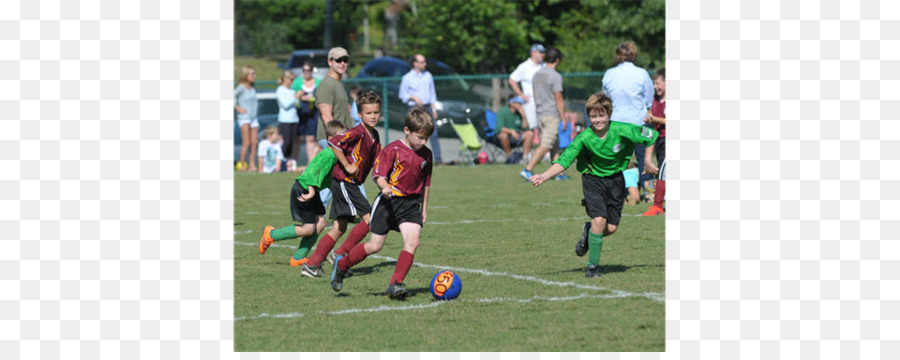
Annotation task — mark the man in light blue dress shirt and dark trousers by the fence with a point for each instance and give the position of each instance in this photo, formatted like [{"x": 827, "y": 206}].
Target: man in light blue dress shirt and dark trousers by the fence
[{"x": 417, "y": 89}]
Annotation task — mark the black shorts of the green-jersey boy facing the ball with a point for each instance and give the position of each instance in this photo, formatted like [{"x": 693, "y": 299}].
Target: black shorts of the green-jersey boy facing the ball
[{"x": 604, "y": 196}]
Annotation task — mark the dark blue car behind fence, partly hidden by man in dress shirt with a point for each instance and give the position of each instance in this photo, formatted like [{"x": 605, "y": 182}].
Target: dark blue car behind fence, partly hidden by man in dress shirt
[{"x": 456, "y": 100}]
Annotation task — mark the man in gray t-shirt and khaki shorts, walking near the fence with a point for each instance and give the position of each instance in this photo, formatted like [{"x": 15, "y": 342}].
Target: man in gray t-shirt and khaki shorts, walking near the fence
[{"x": 550, "y": 110}]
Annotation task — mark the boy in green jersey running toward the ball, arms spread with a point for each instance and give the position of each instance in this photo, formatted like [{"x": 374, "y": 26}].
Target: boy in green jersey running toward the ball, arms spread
[{"x": 602, "y": 155}]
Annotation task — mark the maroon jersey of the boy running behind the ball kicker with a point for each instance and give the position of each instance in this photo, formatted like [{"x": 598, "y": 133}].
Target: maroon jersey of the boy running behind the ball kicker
[{"x": 360, "y": 148}]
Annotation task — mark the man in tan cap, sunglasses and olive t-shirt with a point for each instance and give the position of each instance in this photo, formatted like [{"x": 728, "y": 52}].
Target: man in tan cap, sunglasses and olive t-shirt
[{"x": 331, "y": 98}]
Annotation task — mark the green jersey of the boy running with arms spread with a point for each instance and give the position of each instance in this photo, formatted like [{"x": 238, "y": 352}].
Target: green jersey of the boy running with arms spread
[{"x": 605, "y": 157}]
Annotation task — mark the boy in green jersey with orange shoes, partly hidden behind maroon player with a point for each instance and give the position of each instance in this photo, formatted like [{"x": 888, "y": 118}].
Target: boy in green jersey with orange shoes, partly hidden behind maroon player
[{"x": 306, "y": 206}]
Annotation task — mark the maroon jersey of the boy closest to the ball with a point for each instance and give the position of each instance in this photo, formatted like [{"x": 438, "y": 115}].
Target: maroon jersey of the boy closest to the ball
[{"x": 407, "y": 171}]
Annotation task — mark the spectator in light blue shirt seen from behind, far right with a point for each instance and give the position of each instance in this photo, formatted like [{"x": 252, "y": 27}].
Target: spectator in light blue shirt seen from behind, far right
[{"x": 631, "y": 91}]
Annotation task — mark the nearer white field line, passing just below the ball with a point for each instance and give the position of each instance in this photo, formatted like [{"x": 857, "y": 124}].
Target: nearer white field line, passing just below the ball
[{"x": 434, "y": 304}]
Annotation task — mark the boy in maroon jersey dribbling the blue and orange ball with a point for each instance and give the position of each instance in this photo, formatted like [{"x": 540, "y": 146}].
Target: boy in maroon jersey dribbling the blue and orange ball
[{"x": 403, "y": 173}]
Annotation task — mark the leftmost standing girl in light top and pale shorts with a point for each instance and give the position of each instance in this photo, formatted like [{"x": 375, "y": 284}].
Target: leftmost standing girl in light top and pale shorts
[{"x": 245, "y": 103}]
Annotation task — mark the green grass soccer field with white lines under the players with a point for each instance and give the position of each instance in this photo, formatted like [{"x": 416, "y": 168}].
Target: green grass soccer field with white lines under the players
[{"x": 512, "y": 245}]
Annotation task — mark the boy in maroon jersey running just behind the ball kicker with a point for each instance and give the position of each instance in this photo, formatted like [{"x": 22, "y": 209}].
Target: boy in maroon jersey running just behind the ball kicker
[{"x": 356, "y": 150}]
